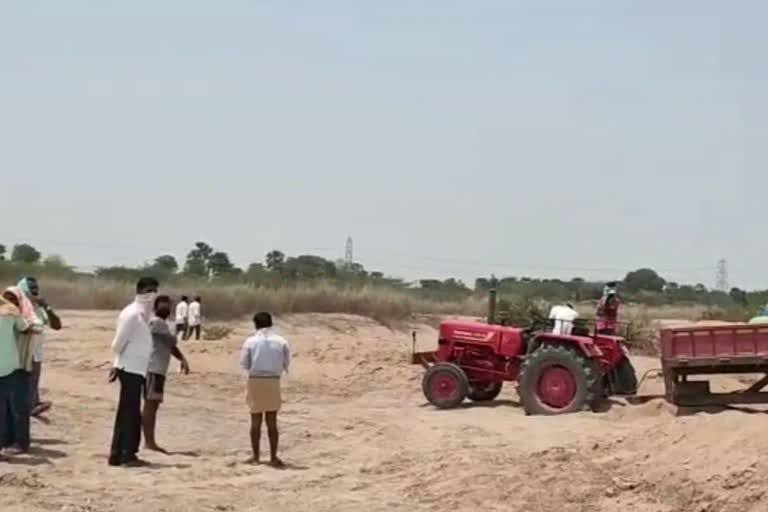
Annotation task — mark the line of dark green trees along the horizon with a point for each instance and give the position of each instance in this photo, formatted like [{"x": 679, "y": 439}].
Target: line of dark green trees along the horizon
[{"x": 203, "y": 261}]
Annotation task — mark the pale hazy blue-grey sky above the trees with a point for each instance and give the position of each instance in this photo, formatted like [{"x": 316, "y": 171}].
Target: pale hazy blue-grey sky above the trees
[{"x": 446, "y": 137}]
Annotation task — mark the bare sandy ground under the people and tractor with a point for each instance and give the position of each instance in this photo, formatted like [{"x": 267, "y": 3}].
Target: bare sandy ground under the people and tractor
[{"x": 358, "y": 436}]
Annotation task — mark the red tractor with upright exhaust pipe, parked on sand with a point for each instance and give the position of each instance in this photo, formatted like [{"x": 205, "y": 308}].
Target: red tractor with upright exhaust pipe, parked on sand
[{"x": 556, "y": 374}]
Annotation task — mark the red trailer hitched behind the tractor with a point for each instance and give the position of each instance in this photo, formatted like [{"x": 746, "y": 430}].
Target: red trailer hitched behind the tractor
[{"x": 710, "y": 350}]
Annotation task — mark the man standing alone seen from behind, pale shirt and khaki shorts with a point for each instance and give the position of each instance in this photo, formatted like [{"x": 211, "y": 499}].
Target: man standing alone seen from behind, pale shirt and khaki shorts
[{"x": 265, "y": 356}]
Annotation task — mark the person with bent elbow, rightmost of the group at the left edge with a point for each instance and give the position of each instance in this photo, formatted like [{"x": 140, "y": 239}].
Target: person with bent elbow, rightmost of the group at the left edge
[{"x": 46, "y": 317}]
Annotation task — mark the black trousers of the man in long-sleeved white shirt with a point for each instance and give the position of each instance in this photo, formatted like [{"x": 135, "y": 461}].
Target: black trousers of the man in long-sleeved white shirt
[{"x": 126, "y": 437}]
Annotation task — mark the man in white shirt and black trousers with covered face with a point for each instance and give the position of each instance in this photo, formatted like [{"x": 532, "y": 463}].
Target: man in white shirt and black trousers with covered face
[{"x": 132, "y": 347}]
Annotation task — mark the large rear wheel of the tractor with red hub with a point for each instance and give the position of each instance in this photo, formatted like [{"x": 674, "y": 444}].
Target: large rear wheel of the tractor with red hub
[{"x": 557, "y": 379}]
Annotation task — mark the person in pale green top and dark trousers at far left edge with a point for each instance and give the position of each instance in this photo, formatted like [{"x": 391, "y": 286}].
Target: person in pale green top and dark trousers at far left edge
[{"x": 11, "y": 325}]
